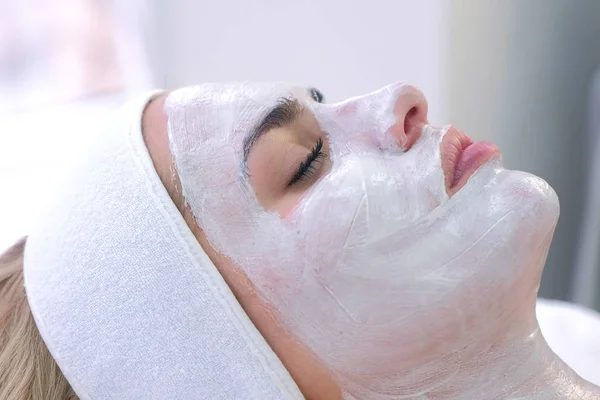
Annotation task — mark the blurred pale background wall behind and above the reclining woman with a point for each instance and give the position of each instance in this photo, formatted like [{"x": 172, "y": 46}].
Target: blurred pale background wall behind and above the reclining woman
[{"x": 519, "y": 73}]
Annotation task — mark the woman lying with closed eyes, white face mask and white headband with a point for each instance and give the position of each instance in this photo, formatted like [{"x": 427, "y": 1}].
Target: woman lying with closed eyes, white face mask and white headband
[{"x": 246, "y": 241}]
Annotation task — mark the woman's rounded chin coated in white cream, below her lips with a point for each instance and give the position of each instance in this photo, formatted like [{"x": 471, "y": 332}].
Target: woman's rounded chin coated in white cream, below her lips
[{"x": 505, "y": 220}]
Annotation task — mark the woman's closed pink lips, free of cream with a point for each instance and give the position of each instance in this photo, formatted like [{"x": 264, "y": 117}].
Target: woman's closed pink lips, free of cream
[{"x": 461, "y": 157}]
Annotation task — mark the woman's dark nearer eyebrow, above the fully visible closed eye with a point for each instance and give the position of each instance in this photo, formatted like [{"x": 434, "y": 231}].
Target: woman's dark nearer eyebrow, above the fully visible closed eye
[{"x": 287, "y": 110}]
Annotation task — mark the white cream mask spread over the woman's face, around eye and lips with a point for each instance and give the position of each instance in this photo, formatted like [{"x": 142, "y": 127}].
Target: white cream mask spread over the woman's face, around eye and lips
[{"x": 393, "y": 285}]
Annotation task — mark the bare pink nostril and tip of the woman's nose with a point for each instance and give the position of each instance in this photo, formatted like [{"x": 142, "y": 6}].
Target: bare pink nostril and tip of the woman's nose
[{"x": 410, "y": 111}]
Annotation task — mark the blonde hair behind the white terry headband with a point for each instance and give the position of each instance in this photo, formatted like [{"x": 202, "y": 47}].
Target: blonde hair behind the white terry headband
[{"x": 27, "y": 370}]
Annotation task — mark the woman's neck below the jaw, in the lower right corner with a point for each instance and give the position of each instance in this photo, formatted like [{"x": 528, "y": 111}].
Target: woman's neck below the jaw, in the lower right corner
[{"x": 525, "y": 369}]
